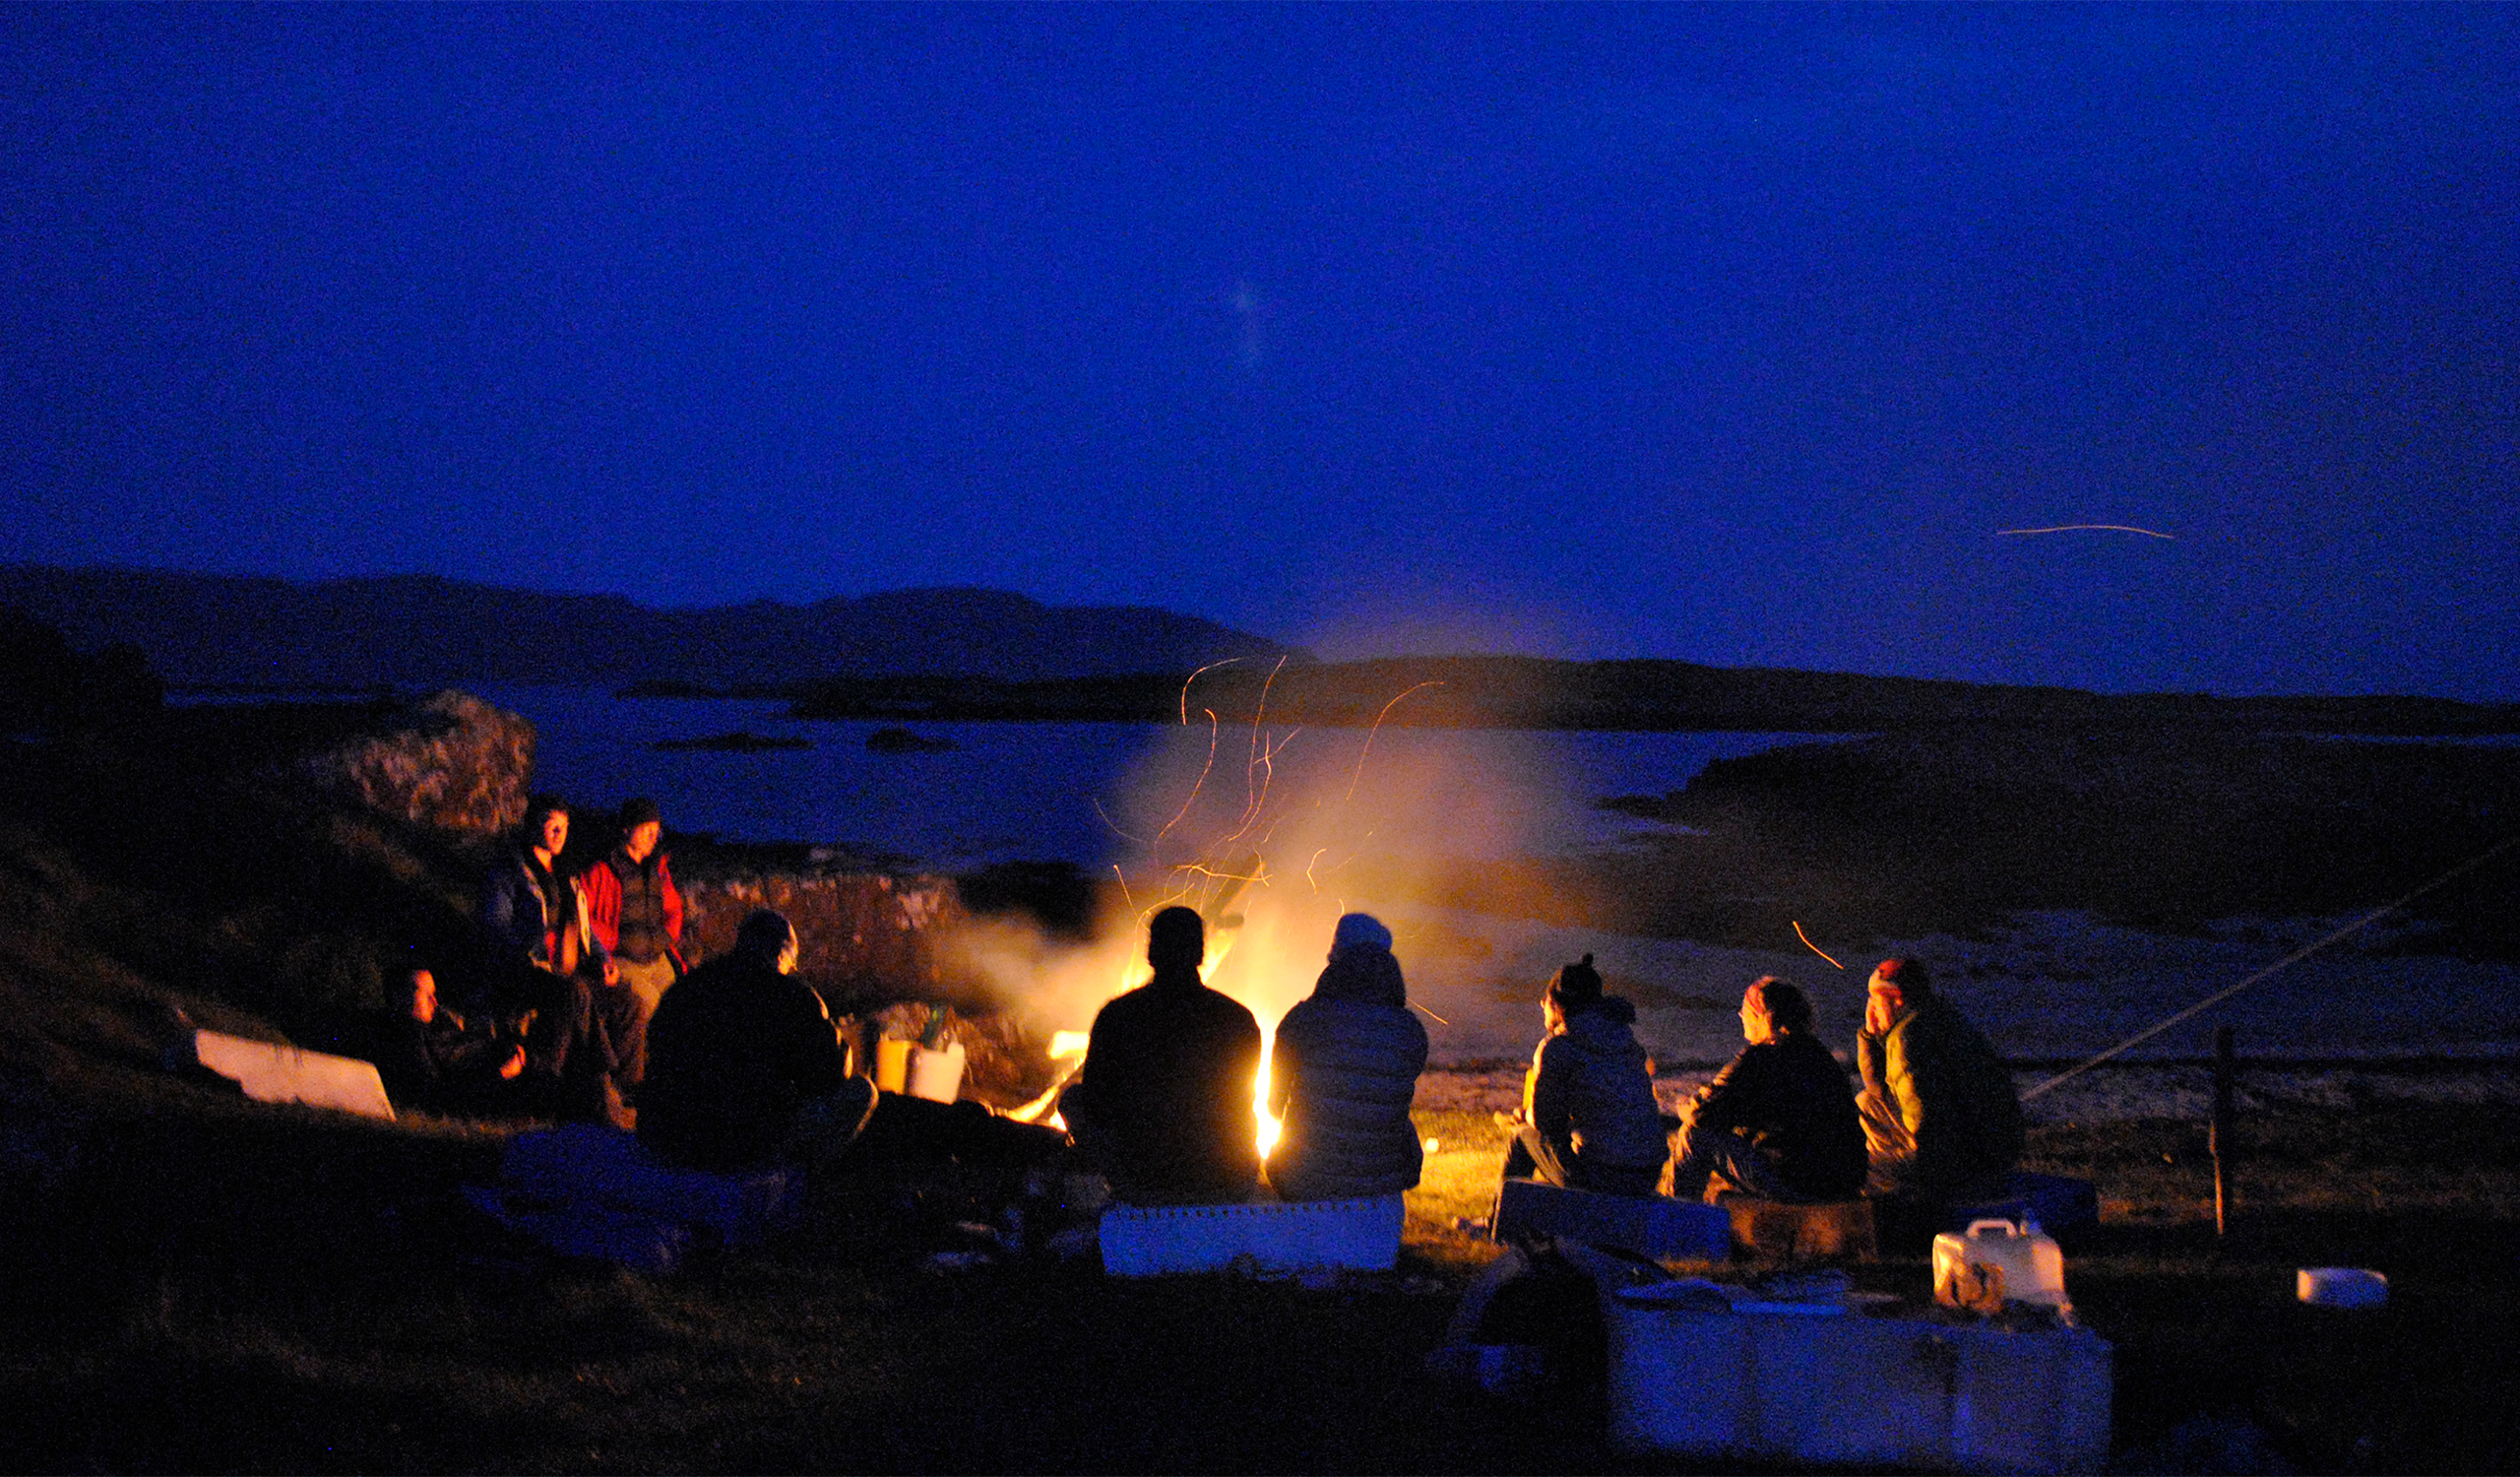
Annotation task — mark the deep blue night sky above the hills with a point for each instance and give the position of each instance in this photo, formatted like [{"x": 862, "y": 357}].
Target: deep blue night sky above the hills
[{"x": 1727, "y": 334}]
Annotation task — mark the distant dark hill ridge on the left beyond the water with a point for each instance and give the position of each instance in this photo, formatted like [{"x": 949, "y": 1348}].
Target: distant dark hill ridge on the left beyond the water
[{"x": 422, "y": 629}]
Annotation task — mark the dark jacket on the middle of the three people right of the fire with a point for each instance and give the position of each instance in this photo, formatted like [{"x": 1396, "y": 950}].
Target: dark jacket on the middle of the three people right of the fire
[{"x": 1798, "y": 1110}]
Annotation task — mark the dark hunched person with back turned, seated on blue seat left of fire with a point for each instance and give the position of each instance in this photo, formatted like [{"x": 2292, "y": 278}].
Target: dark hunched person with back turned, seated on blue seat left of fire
[{"x": 745, "y": 1065}]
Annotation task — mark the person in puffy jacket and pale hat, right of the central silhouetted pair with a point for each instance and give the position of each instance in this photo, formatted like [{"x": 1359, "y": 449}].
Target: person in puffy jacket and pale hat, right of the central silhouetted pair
[{"x": 1344, "y": 1072}]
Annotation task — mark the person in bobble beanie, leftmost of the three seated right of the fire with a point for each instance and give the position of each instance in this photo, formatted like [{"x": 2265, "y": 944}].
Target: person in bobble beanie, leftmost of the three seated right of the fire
[{"x": 1589, "y": 1115}]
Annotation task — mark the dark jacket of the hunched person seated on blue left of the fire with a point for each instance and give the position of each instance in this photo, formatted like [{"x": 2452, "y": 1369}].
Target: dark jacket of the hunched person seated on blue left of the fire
[{"x": 735, "y": 1050}]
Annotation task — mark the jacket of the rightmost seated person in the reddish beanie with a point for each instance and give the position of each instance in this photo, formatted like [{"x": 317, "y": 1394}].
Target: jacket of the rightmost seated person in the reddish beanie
[{"x": 1952, "y": 1093}]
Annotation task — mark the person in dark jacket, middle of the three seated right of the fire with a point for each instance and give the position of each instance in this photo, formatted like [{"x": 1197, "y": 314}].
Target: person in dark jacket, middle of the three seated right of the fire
[{"x": 1780, "y": 1120}]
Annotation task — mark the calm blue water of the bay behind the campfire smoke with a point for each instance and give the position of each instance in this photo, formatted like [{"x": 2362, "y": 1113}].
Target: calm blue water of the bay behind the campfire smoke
[{"x": 1085, "y": 790}]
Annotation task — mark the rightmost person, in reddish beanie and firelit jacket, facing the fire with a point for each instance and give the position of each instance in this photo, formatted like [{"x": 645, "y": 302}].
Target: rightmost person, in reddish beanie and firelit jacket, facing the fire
[{"x": 1939, "y": 1108}]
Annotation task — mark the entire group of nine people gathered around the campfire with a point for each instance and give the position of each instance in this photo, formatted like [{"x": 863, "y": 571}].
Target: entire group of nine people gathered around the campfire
[{"x": 581, "y": 1007}]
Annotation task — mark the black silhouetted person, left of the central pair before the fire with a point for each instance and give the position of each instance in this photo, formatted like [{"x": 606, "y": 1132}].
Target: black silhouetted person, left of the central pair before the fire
[{"x": 1163, "y": 1105}]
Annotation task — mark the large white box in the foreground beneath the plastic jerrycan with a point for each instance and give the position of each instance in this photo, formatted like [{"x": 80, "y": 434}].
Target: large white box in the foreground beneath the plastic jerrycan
[{"x": 1858, "y": 1390}]
